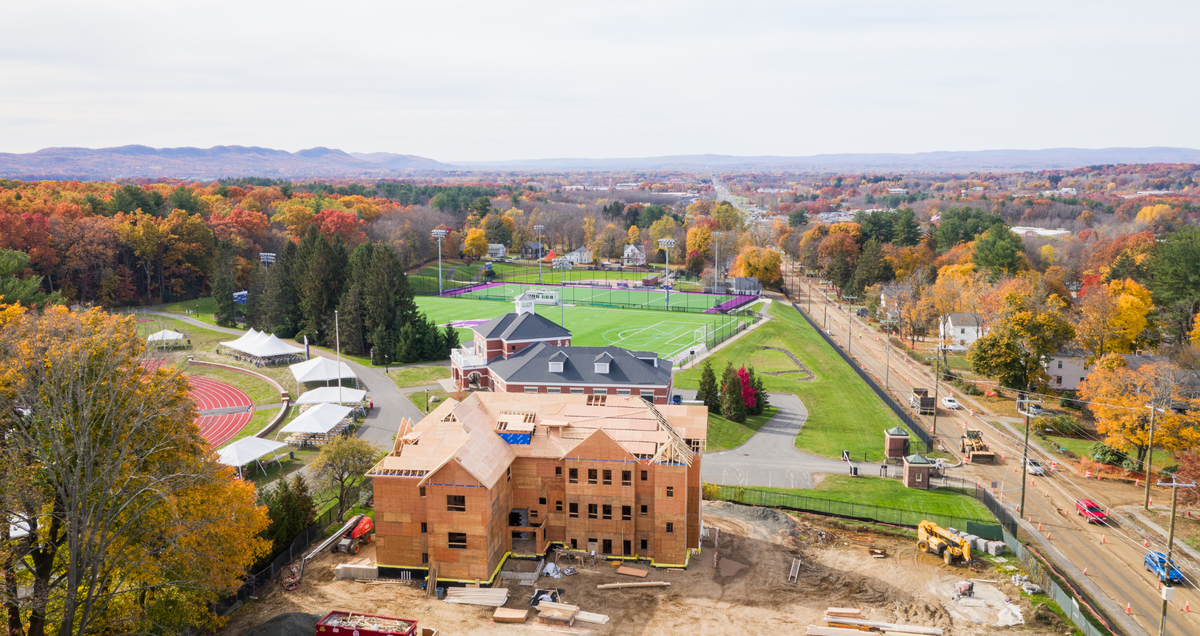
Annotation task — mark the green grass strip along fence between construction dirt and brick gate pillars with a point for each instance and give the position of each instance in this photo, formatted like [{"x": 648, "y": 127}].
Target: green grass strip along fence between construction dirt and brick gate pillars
[{"x": 892, "y": 494}]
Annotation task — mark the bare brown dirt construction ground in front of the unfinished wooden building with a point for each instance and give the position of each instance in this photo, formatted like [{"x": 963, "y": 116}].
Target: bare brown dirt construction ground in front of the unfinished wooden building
[{"x": 747, "y": 595}]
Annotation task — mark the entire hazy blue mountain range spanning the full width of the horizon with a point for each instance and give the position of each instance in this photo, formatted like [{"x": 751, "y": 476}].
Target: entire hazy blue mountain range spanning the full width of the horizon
[{"x": 223, "y": 161}]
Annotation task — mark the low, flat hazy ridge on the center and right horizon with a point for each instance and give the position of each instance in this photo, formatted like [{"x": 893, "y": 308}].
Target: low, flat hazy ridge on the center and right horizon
[{"x": 944, "y": 160}]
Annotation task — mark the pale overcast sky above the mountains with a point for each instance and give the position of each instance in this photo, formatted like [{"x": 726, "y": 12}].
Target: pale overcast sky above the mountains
[{"x": 529, "y": 80}]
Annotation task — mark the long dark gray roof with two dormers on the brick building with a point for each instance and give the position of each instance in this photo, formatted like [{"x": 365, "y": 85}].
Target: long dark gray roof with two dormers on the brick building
[{"x": 626, "y": 368}]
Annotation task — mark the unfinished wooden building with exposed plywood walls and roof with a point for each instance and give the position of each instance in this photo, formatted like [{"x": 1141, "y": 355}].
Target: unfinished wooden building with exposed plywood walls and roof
[{"x": 502, "y": 475}]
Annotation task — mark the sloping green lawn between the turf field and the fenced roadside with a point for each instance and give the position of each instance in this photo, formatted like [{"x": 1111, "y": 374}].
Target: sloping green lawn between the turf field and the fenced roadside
[{"x": 844, "y": 413}]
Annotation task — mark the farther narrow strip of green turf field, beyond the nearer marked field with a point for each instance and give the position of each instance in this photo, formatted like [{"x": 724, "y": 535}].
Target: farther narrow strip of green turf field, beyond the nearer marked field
[{"x": 614, "y": 297}]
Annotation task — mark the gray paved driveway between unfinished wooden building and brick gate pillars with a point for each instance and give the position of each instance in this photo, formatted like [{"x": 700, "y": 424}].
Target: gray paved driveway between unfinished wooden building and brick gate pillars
[{"x": 770, "y": 458}]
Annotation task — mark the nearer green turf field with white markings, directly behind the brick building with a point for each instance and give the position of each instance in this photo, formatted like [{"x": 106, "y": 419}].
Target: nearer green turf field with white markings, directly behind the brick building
[{"x": 667, "y": 334}]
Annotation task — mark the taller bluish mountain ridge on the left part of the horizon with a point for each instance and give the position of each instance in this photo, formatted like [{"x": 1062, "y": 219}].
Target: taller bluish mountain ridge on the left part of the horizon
[{"x": 140, "y": 161}]
